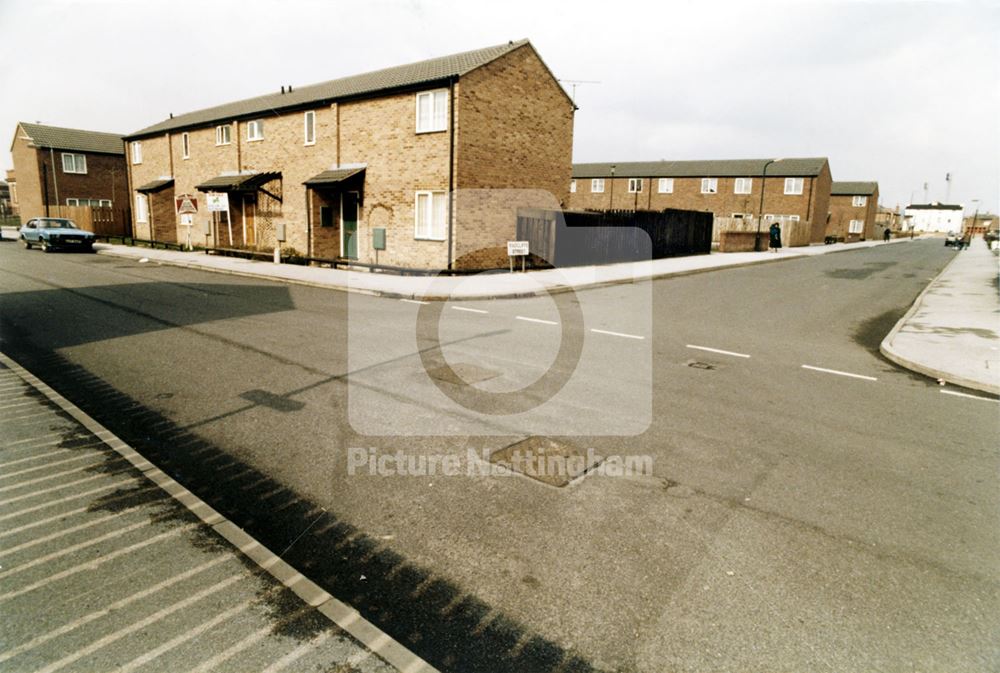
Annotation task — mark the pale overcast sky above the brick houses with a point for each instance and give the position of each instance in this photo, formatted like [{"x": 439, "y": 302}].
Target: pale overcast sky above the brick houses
[{"x": 898, "y": 92}]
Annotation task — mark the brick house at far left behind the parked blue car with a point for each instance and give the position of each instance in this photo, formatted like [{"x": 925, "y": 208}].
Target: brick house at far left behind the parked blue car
[{"x": 67, "y": 167}]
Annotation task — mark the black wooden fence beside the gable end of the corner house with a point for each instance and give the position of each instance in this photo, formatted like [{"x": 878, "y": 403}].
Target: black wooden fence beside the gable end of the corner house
[{"x": 576, "y": 238}]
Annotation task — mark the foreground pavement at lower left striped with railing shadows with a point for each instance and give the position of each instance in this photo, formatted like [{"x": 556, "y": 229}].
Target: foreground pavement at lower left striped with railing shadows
[{"x": 107, "y": 564}]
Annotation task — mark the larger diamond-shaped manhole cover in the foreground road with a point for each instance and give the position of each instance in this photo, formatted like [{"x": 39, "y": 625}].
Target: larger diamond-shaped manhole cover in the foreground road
[{"x": 550, "y": 461}]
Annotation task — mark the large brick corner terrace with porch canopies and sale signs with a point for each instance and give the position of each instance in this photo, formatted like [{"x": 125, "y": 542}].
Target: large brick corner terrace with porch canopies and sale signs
[{"x": 344, "y": 163}]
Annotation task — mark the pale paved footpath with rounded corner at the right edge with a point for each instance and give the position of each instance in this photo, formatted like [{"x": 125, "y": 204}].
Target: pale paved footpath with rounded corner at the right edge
[{"x": 952, "y": 332}]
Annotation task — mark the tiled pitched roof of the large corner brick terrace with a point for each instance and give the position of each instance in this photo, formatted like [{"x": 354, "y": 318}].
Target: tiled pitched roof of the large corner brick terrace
[{"x": 432, "y": 70}]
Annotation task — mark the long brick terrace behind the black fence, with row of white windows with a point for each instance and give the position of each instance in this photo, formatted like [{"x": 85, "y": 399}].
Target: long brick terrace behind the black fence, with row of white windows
[{"x": 795, "y": 188}]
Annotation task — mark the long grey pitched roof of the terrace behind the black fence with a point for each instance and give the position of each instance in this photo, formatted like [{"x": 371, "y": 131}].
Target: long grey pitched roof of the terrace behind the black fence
[{"x": 793, "y": 167}]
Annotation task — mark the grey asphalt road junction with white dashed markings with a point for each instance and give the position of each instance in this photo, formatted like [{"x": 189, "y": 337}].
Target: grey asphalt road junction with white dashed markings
[{"x": 794, "y": 518}]
